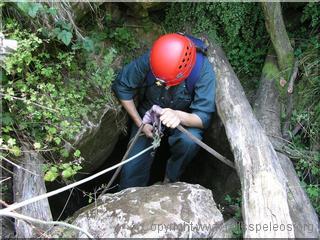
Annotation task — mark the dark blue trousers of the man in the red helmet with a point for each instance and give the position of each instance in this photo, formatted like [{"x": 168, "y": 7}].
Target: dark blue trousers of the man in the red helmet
[{"x": 136, "y": 173}]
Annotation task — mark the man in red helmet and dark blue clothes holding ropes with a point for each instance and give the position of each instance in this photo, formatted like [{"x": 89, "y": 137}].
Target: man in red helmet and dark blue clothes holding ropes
[{"x": 178, "y": 77}]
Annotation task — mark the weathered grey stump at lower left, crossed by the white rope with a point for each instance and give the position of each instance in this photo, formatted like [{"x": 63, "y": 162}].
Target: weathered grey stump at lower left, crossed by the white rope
[{"x": 27, "y": 185}]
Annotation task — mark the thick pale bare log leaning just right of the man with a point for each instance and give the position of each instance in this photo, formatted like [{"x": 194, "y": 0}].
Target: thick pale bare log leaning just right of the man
[{"x": 264, "y": 195}]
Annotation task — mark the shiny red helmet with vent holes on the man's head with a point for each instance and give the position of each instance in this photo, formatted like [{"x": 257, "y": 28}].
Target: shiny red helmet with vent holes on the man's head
[{"x": 172, "y": 58}]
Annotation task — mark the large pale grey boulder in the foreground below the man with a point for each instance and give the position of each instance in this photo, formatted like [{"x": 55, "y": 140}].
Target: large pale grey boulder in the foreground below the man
[{"x": 171, "y": 210}]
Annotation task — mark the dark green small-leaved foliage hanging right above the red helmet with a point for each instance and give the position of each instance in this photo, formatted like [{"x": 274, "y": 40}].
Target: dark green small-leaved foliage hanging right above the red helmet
[{"x": 238, "y": 27}]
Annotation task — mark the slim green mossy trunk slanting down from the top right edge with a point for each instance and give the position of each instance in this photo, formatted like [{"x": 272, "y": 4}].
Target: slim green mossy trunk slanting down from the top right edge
[{"x": 279, "y": 37}]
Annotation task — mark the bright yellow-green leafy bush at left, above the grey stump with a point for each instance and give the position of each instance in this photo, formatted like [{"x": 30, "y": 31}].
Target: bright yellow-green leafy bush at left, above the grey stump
[{"x": 46, "y": 94}]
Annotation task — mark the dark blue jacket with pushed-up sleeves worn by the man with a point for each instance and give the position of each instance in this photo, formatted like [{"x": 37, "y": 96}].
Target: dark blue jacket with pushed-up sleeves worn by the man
[{"x": 201, "y": 102}]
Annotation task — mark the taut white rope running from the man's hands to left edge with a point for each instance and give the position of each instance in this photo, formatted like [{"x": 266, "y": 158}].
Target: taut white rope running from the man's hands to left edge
[{"x": 59, "y": 190}]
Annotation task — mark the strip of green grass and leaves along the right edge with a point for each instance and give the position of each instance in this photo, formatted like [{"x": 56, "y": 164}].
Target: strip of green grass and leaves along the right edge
[{"x": 307, "y": 105}]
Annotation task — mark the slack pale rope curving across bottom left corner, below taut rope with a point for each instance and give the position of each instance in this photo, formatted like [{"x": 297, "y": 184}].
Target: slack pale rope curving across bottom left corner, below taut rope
[{"x": 34, "y": 220}]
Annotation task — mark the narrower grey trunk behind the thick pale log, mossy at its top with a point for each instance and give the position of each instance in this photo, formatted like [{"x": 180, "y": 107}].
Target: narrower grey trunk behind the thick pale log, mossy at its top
[{"x": 267, "y": 110}]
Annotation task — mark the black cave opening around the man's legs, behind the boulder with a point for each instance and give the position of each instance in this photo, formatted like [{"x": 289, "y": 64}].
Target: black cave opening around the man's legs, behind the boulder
[{"x": 204, "y": 169}]
